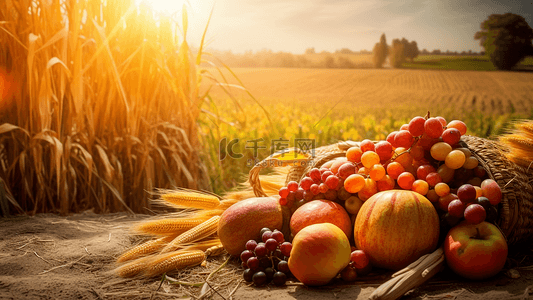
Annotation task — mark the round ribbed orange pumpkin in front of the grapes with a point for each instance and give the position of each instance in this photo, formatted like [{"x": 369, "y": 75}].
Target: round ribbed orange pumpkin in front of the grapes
[{"x": 394, "y": 228}]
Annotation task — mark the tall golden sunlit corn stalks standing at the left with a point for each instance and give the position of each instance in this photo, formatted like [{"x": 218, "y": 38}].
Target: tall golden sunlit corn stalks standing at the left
[{"x": 99, "y": 105}]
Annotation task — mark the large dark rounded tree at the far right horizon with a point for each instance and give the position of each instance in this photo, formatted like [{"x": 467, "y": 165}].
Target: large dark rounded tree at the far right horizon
[{"x": 506, "y": 39}]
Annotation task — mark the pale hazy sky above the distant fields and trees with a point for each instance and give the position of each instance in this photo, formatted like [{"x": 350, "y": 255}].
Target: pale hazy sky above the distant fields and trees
[{"x": 329, "y": 25}]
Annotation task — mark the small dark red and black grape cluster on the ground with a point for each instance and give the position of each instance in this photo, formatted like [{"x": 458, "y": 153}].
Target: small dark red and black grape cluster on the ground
[{"x": 266, "y": 261}]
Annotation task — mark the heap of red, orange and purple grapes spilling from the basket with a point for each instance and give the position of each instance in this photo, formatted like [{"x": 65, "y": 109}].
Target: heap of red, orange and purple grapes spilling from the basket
[{"x": 424, "y": 156}]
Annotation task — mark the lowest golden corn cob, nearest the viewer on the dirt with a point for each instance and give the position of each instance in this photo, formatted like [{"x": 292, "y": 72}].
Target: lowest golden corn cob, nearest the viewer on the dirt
[{"x": 173, "y": 261}]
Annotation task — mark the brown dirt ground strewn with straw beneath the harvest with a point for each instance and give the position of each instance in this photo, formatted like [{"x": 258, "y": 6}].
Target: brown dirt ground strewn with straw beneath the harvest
[{"x": 53, "y": 257}]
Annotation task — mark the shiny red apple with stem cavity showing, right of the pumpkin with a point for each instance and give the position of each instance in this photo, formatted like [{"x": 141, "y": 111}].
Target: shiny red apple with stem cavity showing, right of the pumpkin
[{"x": 475, "y": 251}]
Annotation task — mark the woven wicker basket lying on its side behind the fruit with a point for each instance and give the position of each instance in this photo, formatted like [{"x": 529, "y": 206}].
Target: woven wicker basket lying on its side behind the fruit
[{"x": 516, "y": 208}]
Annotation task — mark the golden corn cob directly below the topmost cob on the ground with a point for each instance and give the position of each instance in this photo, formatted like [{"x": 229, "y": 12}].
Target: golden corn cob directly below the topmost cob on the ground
[{"x": 170, "y": 226}]
